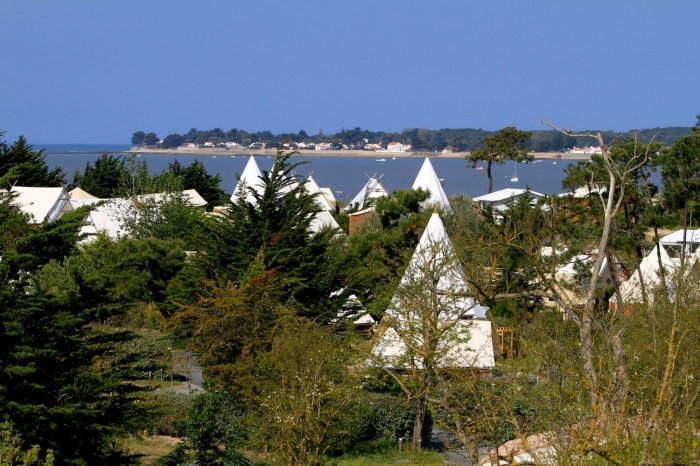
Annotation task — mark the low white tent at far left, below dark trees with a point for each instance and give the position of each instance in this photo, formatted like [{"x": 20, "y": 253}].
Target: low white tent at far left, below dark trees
[{"x": 41, "y": 203}]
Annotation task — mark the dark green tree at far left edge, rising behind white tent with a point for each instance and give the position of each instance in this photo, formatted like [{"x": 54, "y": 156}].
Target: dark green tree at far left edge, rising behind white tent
[{"x": 22, "y": 166}]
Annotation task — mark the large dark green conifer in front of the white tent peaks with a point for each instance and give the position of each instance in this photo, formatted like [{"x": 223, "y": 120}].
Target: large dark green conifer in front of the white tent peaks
[{"x": 277, "y": 221}]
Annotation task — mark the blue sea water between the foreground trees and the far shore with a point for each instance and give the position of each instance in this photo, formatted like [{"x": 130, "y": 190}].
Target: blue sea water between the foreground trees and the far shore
[{"x": 345, "y": 176}]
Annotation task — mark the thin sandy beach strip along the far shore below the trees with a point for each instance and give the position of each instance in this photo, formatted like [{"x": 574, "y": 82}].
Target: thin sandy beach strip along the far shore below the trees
[{"x": 340, "y": 153}]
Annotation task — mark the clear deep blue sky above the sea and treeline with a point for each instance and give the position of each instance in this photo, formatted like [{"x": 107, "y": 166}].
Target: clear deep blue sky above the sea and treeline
[{"x": 96, "y": 71}]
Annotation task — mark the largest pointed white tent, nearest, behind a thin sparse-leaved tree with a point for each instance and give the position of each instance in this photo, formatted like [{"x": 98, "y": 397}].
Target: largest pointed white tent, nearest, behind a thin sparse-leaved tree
[{"x": 467, "y": 340}]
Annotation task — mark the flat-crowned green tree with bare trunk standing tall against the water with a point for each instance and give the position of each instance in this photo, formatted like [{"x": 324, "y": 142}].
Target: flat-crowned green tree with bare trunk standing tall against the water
[{"x": 506, "y": 144}]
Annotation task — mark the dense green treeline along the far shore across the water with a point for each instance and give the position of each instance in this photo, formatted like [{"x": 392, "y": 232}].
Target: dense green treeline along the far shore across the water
[{"x": 466, "y": 139}]
